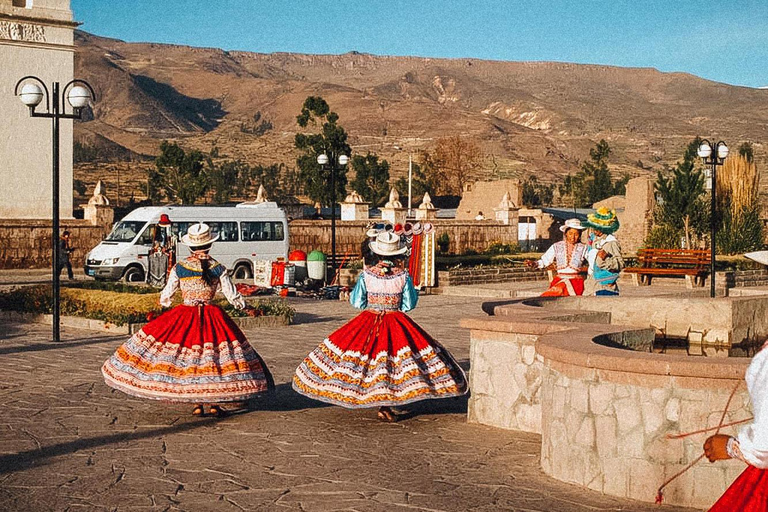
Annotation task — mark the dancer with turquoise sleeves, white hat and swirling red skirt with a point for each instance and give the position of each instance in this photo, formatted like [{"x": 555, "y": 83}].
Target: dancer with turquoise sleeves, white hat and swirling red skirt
[{"x": 380, "y": 358}]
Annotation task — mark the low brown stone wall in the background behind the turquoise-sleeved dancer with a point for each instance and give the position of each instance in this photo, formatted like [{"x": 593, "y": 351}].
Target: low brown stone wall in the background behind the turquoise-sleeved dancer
[{"x": 308, "y": 235}]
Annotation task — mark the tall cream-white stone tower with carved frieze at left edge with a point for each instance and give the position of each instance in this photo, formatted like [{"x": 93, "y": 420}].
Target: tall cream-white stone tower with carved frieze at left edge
[{"x": 36, "y": 38}]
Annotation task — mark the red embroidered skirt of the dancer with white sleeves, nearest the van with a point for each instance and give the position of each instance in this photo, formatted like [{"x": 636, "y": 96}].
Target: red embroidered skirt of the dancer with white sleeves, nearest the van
[{"x": 189, "y": 354}]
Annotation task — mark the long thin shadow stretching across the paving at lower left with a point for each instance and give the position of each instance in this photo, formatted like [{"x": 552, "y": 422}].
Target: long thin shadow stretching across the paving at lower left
[{"x": 24, "y": 460}]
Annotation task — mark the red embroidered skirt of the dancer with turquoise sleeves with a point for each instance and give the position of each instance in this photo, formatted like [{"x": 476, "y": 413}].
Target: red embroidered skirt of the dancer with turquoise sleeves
[{"x": 379, "y": 359}]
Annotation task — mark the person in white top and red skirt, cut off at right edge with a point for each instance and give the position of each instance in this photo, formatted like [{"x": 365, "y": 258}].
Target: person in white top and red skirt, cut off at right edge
[{"x": 749, "y": 492}]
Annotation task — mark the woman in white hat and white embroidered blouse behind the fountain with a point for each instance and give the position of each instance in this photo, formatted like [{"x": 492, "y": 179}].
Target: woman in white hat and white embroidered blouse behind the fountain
[{"x": 569, "y": 255}]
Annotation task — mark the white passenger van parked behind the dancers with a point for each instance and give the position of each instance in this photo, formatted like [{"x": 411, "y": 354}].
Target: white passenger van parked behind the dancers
[{"x": 247, "y": 232}]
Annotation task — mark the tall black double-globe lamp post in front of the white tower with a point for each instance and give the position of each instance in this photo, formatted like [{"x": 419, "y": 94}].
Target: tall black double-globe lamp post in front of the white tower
[{"x": 78, "y": 94}]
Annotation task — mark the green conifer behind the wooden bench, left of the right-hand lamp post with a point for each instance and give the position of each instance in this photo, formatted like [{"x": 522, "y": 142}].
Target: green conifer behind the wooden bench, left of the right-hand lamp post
[{"x": 682, "y": 211}]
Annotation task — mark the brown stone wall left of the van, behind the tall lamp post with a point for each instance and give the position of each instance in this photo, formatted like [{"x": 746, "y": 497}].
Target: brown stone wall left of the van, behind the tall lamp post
[{"x": 27, "y": 243}]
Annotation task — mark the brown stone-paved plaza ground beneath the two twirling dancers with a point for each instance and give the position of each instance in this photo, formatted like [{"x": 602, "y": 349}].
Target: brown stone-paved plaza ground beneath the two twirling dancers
[{"x": 68, "y": 442}]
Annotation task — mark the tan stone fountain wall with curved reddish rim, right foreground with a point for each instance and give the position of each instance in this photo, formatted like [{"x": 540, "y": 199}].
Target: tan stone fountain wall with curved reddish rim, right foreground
[{"x": 604, "y": 411}]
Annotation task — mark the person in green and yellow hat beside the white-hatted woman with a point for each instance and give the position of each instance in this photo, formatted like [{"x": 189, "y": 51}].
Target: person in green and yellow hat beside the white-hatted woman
[{"x": 604, "y": 256}]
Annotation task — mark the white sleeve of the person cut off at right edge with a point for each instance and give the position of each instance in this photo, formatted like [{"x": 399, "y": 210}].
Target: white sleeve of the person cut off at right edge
[{"x": 753, "y": 439}]
